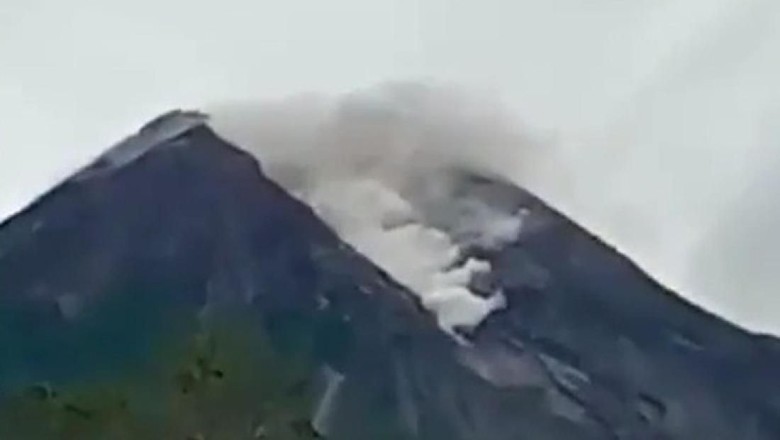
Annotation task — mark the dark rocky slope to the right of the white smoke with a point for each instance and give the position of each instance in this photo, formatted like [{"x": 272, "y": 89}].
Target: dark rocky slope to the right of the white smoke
[{"x": 634, "y": 355}]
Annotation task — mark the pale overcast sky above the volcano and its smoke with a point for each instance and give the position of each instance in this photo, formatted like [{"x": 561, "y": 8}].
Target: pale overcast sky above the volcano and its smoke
[{"x": 661, "y": 118}]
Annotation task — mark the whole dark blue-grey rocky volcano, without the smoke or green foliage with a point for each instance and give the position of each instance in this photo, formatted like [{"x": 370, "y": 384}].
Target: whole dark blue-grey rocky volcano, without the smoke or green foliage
[{"x": 174, "y": 226}]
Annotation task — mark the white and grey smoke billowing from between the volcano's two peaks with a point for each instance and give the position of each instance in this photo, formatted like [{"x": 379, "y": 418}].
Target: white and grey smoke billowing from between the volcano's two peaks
[{"x": 377, "y": 164}]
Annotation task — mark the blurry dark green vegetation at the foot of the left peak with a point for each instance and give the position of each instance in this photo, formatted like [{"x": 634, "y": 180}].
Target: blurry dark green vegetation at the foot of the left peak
[{"x": 225, "y": 382}]
